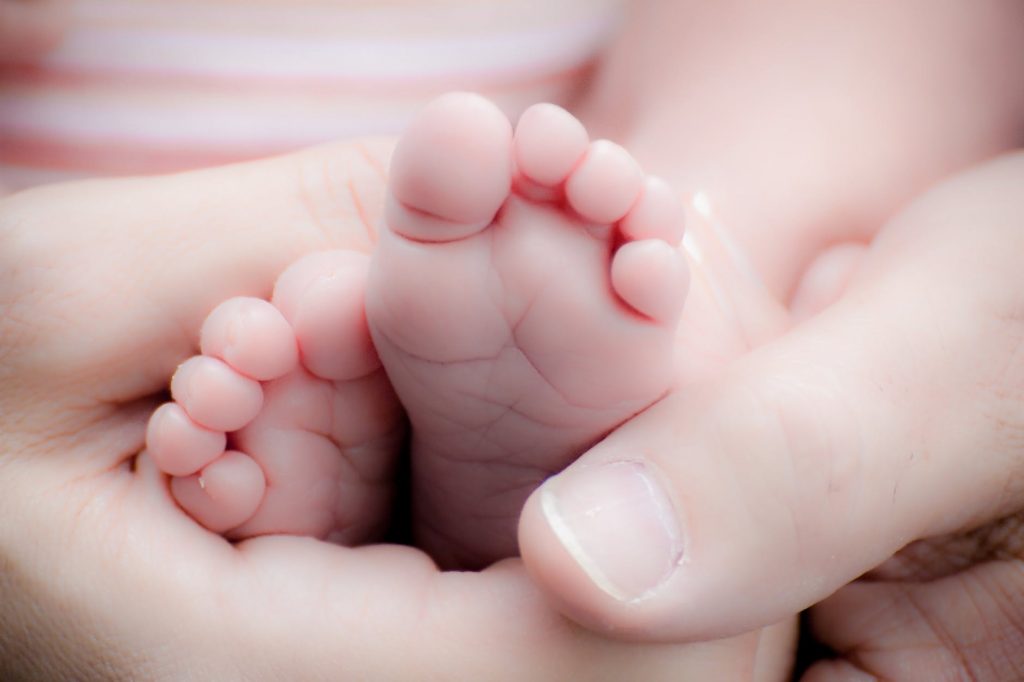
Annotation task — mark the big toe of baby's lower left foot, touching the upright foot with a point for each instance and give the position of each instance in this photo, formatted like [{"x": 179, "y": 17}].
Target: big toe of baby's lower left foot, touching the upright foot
[{"x": 323, "y": 296}]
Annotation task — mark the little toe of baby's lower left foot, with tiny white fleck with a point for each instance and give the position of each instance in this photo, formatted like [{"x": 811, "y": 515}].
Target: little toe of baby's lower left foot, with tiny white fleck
[{"x": 226, "y": 494}]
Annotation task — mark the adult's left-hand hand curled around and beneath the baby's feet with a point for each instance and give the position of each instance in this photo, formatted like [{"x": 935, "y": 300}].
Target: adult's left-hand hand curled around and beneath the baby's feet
[{"x": 104, "y": 286}]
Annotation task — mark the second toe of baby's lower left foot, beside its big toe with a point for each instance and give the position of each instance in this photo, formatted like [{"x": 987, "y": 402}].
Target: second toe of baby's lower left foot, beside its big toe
[{"x": 251, "y": 336}]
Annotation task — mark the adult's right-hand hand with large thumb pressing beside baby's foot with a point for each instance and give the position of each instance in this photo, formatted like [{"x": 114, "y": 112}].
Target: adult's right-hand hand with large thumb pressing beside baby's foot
[{"x": 890, "y": 424}]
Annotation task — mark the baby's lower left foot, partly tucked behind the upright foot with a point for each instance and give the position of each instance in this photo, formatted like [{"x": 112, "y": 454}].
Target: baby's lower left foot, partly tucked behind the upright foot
[{"x": 285, "y": 423}]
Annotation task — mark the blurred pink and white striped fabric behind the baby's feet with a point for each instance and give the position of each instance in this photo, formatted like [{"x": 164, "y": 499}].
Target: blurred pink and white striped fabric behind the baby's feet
[{"x": 146, "y": 87}]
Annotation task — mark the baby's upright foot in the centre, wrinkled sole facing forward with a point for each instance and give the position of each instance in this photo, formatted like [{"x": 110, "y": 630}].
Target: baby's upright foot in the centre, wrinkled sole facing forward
[{"x": 524, "y": 300}]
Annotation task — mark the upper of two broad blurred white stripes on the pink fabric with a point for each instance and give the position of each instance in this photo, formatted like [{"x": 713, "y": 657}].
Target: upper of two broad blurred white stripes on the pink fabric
[{"x": 156, "y": 51}]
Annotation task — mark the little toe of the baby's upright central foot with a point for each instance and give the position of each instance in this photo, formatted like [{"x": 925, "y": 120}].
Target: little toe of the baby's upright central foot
[{"x": 653, "y": 278}]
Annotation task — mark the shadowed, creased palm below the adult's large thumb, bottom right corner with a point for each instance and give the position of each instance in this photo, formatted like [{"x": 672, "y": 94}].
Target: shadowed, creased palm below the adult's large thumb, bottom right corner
[{"x": 949, "y": 608}]
